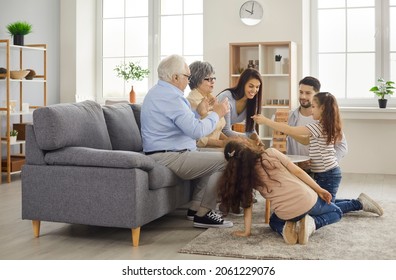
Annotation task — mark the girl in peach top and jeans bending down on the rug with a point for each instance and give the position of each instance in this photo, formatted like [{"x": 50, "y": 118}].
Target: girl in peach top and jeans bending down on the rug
[{"x": 295, "y": 197}]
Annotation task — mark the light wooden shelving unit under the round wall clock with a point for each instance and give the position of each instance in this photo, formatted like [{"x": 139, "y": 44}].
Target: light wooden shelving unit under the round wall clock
[{"x": 279, "y": 86}]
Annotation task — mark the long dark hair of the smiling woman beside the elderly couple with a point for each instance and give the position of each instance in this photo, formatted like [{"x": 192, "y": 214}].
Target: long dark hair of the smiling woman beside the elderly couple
[{"x": 253, "y": 106}]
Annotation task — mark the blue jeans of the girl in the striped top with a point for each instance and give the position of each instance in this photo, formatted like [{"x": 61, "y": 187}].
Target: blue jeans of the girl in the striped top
[{"x": 330, "y": 181}]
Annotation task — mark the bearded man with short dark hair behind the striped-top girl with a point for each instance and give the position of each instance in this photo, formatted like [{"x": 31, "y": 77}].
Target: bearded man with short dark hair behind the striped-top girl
[{"x": 302, "y": 115}]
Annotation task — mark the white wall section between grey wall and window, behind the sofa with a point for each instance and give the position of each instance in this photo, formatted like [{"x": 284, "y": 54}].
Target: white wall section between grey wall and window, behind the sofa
[{"x": 78, "y": 50}]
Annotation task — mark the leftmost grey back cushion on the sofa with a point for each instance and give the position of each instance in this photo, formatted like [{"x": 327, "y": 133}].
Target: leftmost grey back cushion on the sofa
[{"x": 66, "y": 125}]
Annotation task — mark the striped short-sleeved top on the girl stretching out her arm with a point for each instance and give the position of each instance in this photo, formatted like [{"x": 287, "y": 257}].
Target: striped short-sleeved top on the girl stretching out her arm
[{"x": 322, "y": 155}]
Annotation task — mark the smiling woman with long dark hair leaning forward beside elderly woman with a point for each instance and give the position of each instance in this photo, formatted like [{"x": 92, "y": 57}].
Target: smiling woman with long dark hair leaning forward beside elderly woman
[{"x": 245, "y": 102}]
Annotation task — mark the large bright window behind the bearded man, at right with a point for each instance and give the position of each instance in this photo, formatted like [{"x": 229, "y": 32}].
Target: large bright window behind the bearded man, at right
[{"x": 354, "y": 43}]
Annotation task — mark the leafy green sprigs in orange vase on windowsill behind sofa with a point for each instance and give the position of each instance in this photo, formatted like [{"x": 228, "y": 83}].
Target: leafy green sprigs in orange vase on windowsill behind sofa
[{"x": 131, "y": 71}]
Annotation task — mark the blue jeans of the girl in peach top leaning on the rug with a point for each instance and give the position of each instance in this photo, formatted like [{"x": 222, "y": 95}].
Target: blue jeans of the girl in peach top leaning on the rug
[{"x": 322, "y": 213}]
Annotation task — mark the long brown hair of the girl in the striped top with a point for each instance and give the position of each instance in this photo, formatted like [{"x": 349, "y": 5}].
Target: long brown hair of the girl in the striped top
[{"x": 331, "y": 119}]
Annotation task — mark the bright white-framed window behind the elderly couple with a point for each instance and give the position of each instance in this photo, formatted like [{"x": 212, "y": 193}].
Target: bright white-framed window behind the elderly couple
[{"x": 145, "y": 32}]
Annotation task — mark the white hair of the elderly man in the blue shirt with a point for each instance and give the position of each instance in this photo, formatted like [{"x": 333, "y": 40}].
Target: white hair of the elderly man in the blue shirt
[{"x": 170, "y": 65}]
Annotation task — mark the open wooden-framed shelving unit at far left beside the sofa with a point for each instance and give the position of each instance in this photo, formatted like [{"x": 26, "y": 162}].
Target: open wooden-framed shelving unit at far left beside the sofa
[{"x": 14, "y": 57}]
